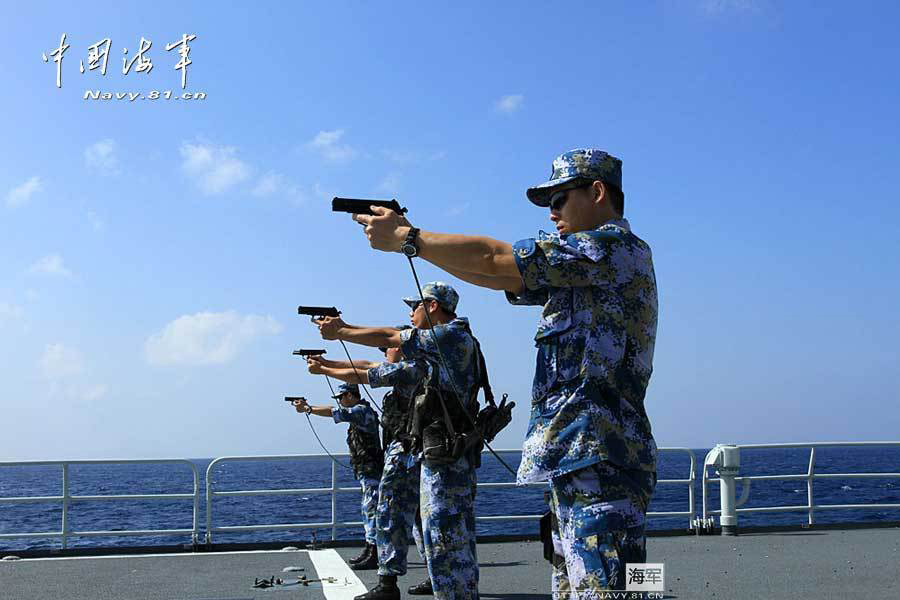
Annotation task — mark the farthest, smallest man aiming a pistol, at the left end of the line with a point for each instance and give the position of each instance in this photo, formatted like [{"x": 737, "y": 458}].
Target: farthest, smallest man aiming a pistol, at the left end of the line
[{"x": 366, "y": 457}]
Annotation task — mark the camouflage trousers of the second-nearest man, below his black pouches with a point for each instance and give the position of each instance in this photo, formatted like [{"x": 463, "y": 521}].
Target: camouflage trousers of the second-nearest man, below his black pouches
[{"x": 448, "y": 529}]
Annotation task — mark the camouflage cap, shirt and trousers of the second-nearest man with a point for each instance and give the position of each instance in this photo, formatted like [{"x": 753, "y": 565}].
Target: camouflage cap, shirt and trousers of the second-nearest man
[{"x": 447, "y": 492}]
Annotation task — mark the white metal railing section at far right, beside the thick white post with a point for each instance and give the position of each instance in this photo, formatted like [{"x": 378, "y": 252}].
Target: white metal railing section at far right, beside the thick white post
[{"x": 728, "y": 477}]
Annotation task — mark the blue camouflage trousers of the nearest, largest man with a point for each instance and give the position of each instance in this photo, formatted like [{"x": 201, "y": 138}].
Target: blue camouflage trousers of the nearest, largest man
[{"x": 600, "y": 511}]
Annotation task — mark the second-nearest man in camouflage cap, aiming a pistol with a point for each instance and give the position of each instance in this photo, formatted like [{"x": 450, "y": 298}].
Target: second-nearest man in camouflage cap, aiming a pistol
[{"x": 447, "y": 491}]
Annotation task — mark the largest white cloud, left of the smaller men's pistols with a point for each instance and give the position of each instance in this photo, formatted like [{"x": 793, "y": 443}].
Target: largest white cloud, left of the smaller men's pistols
[{"x": 206, "y": 338}]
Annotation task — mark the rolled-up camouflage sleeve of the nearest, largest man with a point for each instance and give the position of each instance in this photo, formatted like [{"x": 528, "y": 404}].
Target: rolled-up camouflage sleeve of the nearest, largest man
[{"x": 579, "y": 260}]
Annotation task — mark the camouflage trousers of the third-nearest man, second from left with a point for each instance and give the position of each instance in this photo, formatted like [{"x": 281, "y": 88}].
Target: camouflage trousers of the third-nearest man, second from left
[{"x": 398, "y": 503}]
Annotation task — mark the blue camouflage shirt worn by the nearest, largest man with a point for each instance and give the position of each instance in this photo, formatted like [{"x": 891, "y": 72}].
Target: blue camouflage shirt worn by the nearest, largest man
[{"x": 595, "y": 343}]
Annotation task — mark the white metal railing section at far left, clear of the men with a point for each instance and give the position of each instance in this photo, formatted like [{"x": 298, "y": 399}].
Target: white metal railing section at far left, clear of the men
[{"x": 67, "y": 499}]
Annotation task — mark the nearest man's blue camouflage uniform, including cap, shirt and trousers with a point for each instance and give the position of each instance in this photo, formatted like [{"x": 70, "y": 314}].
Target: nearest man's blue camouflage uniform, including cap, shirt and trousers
[{"x": 589, "y": 433}]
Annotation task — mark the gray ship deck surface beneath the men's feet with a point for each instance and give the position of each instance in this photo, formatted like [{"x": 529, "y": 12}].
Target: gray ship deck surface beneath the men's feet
[{"x": 860, "y": 563}]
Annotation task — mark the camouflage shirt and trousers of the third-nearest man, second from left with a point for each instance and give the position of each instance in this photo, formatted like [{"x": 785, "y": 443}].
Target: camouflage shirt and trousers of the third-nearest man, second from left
[{"x": 398, "y": 492}]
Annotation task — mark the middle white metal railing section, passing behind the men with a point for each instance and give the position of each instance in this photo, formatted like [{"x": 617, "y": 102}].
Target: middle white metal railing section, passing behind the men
[{"x": 334, "y": 490}]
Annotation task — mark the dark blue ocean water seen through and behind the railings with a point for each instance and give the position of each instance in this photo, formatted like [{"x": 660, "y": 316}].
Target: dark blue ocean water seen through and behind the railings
[{"x": 21, "y": 481}]
